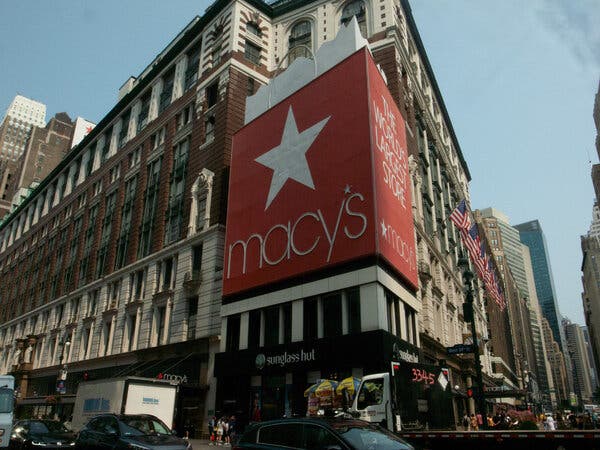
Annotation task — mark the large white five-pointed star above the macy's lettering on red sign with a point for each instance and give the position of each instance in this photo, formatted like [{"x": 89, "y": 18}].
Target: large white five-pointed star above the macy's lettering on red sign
[{"x": 288, "y": 159}]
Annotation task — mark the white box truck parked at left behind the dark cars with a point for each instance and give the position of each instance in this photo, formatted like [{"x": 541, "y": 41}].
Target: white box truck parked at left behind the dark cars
[{"x": 126, "y": 395}]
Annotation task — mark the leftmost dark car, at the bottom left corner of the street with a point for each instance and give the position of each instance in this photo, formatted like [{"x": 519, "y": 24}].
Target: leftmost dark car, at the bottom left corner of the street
[{"x": 51, "y": 434}]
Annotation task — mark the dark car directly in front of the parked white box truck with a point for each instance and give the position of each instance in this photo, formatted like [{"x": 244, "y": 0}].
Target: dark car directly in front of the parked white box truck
[{"x": 133, "y": 431}]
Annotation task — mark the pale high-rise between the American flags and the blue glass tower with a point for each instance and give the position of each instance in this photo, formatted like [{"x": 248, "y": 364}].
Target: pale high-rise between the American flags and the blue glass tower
[{"x": 507, "y": 246}]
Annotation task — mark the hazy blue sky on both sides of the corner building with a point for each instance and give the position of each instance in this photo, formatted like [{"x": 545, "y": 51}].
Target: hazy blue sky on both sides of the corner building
[{"x": 518, "y": 80}]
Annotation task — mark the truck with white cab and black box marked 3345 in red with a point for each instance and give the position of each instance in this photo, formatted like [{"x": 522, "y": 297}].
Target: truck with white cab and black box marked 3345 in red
[{"x": 411, "y": 396}]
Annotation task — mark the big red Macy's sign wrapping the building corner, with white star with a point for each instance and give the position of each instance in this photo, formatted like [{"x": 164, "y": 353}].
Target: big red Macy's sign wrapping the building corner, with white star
[{"x": 320, "y": 179}]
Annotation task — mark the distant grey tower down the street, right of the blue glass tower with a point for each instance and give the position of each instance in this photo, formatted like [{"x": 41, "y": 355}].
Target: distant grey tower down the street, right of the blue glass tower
[{"x": 582, "y": 370}]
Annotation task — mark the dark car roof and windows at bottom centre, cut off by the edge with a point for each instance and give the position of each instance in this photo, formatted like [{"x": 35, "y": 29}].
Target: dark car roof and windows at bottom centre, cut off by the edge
[{"x": 319, "y": 434}]
